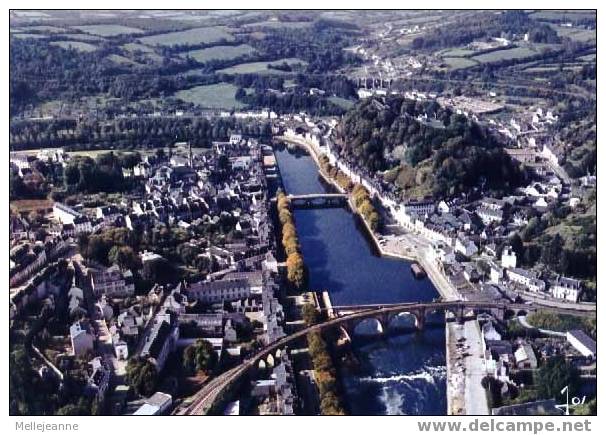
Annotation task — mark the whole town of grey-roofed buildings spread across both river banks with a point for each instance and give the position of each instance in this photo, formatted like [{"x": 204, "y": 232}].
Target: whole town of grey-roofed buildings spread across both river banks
[{"x": 162, "y": 278}]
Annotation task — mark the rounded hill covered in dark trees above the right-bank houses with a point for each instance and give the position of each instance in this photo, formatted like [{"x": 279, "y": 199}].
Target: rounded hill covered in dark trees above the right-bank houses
[{"x": 402, "y": 136}]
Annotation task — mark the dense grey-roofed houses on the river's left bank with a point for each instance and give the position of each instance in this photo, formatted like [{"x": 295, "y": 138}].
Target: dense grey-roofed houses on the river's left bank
[{"x": 113, "y": 321}]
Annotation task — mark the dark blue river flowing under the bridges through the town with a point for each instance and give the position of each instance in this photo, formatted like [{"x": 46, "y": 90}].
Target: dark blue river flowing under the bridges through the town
[{"x": 399, "y": 374}]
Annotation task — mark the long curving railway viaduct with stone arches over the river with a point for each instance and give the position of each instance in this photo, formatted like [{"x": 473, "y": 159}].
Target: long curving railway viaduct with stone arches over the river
[{"x": 348, "y": 317}]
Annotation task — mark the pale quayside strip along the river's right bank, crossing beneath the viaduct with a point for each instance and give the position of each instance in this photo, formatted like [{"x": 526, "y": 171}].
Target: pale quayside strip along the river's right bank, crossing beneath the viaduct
[{"x": 464, "y": 357}]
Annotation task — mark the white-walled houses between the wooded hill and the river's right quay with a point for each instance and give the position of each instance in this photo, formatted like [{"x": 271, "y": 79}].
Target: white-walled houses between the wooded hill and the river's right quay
[{"x": 465, "y": 234}]
